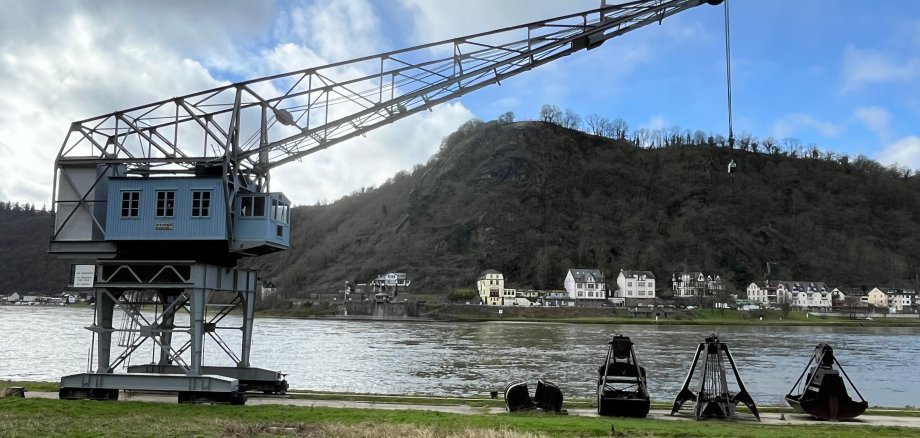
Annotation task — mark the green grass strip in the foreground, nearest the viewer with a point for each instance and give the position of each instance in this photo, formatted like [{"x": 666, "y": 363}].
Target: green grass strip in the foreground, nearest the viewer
[{"x": 27, "y": 417}]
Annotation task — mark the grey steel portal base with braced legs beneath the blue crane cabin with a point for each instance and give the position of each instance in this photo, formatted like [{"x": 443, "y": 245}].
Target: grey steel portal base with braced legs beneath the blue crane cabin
[{"x": 174, "y": 287}]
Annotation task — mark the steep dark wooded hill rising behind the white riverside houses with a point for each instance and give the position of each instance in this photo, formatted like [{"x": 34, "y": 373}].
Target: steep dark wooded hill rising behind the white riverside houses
[{"x": 534, "y": 199}]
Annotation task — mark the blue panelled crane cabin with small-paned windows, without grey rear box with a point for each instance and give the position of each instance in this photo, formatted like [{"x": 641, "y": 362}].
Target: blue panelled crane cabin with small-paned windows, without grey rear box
[{"x": 187, "y": 218}]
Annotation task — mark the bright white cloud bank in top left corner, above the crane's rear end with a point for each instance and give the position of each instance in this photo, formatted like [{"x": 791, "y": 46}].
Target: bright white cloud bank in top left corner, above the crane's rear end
[{"x": 87, "y": 66}]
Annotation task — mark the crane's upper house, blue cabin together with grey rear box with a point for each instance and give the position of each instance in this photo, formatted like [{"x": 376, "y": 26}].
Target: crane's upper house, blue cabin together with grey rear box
[{"x": 167, "y": 217}]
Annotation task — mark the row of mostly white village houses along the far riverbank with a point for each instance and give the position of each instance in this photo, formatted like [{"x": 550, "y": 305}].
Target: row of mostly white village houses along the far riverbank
[{"x": 632, "y": 293}]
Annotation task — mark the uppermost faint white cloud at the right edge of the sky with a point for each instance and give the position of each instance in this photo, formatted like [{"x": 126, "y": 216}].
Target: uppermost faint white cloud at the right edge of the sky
[{"x": 862, "y": 67}]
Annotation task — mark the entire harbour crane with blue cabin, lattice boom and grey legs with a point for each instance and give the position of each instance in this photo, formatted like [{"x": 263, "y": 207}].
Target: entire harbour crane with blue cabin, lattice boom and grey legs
[{"x": 156, "y": 204}]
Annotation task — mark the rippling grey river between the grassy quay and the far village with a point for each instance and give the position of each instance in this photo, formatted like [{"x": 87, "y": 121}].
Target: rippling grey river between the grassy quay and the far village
[{"x": 471, "y": 359}]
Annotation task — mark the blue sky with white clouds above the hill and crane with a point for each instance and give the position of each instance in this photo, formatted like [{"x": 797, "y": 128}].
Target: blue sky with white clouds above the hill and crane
[{"x": 841, "y": 74}]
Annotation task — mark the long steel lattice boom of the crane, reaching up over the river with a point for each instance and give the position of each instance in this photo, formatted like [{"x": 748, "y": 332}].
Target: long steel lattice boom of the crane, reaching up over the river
[{"x": 253, "y": 126}]
